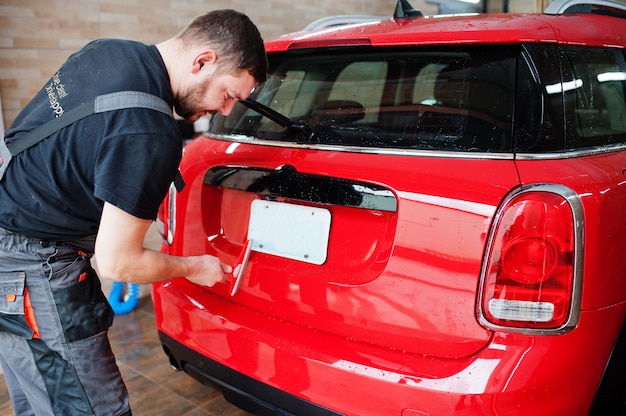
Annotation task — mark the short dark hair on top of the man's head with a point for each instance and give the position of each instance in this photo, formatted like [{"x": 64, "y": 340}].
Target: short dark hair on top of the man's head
[{"x": 234, "y": 36}]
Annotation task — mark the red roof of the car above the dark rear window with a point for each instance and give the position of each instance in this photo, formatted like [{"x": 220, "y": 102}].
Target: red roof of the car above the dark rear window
[{"x": 582, "y": 29}]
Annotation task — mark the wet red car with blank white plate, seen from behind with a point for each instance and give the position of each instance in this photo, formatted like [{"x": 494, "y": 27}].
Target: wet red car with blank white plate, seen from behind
[{"x": 428, "y": 217}]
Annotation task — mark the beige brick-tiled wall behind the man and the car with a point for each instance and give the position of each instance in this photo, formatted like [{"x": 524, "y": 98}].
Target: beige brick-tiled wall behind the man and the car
[{"x": 36, "y": 36}]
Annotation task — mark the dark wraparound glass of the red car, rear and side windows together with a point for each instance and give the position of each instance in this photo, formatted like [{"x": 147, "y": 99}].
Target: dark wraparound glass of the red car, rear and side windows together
[{"x": 562, "y": 98}]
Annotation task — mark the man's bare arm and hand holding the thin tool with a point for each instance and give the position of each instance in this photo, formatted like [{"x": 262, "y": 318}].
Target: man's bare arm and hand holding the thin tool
[{"x": 121, "y": 256}]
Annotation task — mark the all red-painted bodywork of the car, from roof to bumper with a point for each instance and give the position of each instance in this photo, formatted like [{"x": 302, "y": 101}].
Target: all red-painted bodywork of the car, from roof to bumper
[{"x": 391, "y": 322}]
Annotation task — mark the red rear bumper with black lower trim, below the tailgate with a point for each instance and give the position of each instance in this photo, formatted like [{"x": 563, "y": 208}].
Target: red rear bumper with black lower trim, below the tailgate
[{"x": 270, "y": 364}]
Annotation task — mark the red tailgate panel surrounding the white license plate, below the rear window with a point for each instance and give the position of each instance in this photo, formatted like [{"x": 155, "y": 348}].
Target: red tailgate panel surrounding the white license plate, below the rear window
[{"x": 425, "y": 266}]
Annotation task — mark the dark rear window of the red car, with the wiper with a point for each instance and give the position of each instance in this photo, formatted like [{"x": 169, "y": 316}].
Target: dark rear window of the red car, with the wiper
[{"x": 457, "y": 99}]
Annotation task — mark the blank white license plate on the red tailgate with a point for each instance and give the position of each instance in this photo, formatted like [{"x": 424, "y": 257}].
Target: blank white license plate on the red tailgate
[{"x": 292, "y": 231}]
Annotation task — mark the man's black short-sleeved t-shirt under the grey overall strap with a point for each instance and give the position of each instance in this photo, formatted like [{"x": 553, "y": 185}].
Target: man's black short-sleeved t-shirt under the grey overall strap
[{"x": 55, "y": 190}]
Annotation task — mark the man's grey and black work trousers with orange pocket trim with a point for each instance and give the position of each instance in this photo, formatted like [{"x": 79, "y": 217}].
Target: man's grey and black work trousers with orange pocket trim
[{"x": 54, "y": 318}]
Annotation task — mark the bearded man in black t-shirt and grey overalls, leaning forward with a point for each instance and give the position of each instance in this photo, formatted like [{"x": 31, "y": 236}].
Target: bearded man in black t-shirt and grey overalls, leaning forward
[{"x": 98, "y": 184}]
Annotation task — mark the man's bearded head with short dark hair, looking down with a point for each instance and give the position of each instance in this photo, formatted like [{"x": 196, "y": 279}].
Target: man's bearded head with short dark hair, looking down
[{"x": 222, "y": 59}]
